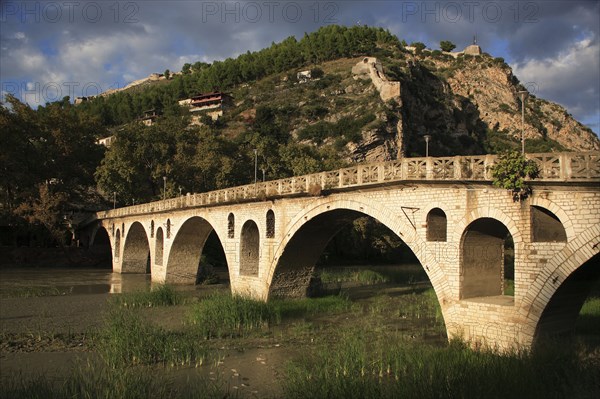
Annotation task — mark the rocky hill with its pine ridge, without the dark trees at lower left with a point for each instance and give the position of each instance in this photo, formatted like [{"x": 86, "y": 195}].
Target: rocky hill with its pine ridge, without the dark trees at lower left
[{"x": 374, "y": 99}]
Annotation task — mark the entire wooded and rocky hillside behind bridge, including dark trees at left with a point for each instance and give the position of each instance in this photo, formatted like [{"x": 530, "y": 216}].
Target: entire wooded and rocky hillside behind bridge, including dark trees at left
[{"x": 467, "y": 104}]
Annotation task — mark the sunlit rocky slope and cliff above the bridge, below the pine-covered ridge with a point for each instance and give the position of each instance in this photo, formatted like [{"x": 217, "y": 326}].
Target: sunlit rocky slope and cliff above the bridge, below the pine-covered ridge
[{"x": 467, "y": 104}]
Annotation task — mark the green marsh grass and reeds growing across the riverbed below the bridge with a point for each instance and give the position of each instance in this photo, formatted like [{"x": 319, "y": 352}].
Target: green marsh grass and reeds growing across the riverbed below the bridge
[{"x": 374, "y": 348}]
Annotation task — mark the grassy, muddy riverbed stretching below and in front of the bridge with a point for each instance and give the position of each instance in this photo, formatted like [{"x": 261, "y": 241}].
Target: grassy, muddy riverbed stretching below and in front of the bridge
[{"x": 373, "y": 339}]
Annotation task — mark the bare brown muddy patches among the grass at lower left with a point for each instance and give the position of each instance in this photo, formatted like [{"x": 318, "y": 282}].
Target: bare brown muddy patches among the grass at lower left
[{"x": 49, "y": 336}]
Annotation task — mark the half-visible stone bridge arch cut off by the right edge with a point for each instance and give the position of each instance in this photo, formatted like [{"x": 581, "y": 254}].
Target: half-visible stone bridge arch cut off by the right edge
[{"x": 554, "y": 299}]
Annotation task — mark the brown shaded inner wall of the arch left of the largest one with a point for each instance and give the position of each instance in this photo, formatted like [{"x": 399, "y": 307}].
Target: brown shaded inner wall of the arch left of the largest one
[{"x": 183, "y": 265}]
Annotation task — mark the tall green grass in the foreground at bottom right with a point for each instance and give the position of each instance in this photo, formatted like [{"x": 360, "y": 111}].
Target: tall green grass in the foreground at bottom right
[{"x": 367, "y": 366}]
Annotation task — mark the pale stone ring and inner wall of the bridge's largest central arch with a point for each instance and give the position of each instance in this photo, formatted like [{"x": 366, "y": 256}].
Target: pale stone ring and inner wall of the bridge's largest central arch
[{"x": 307, "y": 235}]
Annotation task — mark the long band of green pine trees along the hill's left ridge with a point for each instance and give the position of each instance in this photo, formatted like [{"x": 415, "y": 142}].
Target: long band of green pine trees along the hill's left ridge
[{"x": 327, "y": 43}]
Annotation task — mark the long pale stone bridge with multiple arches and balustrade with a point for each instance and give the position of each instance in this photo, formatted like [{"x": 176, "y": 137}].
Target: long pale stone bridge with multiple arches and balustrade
[{"x": 446, "y": 210}]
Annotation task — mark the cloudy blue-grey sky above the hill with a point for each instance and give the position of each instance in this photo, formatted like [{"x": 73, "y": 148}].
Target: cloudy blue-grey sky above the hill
[{"x": 50, "y": 49}]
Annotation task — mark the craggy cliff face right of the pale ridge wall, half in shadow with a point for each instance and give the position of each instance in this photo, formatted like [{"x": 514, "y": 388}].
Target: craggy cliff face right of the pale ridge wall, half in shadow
[{"x": 469, "y": 104}]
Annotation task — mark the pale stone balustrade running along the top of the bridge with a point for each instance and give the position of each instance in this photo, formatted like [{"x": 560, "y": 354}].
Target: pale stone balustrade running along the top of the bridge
[{"x": 580, "y": 166}]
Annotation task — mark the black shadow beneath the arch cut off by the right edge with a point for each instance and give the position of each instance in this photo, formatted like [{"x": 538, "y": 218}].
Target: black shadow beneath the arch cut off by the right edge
[{"x": 560, "y": 314}]
